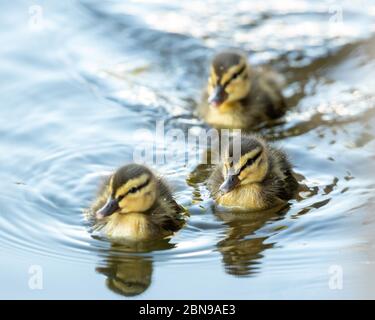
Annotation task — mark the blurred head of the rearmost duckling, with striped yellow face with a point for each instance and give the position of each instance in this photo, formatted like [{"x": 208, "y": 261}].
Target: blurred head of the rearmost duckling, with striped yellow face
[{"x": 229, "y": 78}]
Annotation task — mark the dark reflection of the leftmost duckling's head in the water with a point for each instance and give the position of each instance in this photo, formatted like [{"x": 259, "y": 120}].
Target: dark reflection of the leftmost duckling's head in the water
[{"x": 129, "y": 275}]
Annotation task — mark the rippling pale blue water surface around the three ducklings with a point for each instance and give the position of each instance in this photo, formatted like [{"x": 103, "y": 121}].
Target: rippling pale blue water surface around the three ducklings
[{"x": 78, "y": 79}]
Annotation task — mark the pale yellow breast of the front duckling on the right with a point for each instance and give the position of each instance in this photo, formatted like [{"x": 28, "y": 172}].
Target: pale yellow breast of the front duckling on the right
[{"x": 247, "y": 197}]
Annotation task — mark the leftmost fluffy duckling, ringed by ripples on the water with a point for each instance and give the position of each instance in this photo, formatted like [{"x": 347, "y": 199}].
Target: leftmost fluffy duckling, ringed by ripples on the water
[{"x": 135, "y": 205}]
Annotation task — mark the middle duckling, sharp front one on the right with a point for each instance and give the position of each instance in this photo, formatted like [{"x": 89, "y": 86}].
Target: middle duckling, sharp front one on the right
[{"x": 252, "y": 176}]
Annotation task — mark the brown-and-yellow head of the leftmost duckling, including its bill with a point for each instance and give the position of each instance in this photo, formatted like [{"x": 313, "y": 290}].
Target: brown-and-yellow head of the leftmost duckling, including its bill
[{"x": 133, "y": 188}]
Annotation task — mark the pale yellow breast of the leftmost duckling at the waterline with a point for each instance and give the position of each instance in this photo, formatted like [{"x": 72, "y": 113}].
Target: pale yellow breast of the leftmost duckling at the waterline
[{"x": 131, "y": 226}]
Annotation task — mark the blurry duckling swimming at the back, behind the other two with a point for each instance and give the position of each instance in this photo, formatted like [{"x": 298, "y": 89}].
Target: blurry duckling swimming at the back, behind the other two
[{"x": 239, "y": 96}]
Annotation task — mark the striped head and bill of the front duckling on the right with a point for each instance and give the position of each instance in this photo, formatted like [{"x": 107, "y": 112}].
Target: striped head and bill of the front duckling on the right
[{"x": 246, "y": 162}]
